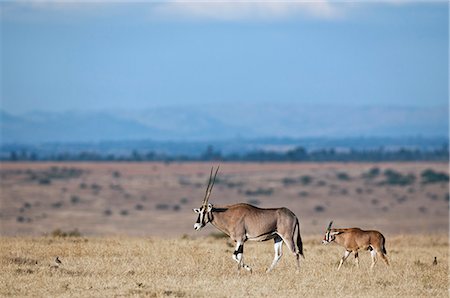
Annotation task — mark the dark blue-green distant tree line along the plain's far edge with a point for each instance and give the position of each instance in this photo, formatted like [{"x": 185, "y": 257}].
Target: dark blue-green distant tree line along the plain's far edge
[{"x": 298, "y": 154}]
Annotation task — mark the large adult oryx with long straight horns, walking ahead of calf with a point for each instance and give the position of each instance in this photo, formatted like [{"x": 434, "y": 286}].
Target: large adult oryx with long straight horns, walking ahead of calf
[{"x": 244, "y": 222}]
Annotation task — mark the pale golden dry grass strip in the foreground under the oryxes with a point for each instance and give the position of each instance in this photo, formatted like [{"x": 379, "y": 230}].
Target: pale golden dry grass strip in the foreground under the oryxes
[{"x": 185, "y": 267}]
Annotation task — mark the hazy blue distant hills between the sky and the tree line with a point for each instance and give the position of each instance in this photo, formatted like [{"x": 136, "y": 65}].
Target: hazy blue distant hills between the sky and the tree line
[{"x": 225, "y": 121}]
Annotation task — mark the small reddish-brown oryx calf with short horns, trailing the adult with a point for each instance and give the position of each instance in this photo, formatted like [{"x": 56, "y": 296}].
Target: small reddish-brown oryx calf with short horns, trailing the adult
[{"x": 353, "y": 239}]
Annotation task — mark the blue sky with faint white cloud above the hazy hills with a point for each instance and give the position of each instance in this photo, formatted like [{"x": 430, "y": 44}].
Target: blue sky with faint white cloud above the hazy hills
[{"x": 61, "y": 56}]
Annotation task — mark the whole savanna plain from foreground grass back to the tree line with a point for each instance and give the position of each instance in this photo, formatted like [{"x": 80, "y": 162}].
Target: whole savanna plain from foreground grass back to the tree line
[{"x": 126, "y": 229}]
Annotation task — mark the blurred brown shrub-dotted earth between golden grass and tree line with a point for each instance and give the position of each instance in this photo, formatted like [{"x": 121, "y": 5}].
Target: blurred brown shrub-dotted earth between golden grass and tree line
[{"x": 155, "y": 199}]
